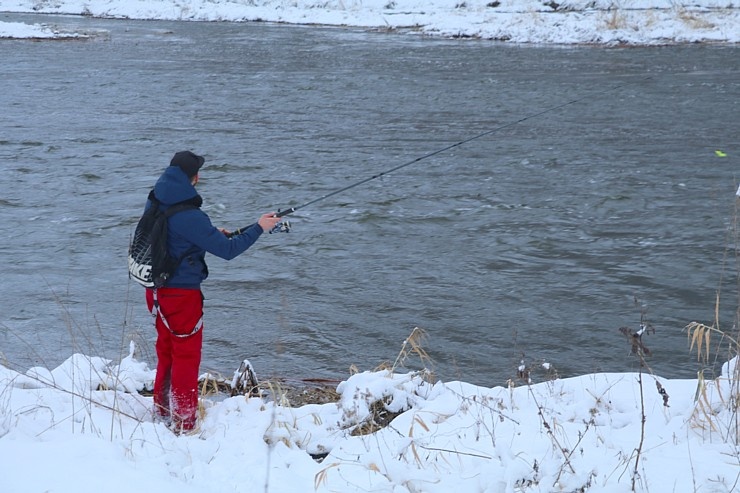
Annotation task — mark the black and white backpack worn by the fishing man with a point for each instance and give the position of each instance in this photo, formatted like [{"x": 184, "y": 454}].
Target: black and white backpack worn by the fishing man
[{"x": 149, "y": 262}]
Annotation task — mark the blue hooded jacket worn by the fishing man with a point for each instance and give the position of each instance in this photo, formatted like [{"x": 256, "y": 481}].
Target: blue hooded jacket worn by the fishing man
[{"x": 191, "y": 231}]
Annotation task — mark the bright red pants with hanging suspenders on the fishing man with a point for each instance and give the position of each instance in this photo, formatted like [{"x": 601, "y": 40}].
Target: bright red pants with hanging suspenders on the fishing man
[{"x": 178, "y": 358}]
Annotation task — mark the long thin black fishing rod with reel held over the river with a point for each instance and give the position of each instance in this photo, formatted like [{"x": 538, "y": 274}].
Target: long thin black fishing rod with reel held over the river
[{"x": 284, "y": 226}]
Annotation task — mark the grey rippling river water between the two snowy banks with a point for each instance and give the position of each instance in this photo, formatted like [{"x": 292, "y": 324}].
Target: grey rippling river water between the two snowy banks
[{"x": 531, "y": 242}]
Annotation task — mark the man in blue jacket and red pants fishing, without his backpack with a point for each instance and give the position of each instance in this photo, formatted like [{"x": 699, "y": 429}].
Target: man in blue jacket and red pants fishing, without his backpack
[{"x": 178, "y": 306}]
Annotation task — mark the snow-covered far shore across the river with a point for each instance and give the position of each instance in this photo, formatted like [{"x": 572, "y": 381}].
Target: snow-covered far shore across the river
[{"x": 599, "y": 22}]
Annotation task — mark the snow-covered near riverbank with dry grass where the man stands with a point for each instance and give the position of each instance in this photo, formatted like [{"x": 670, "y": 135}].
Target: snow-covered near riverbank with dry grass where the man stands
[{"x": 60, "y": 432}]
